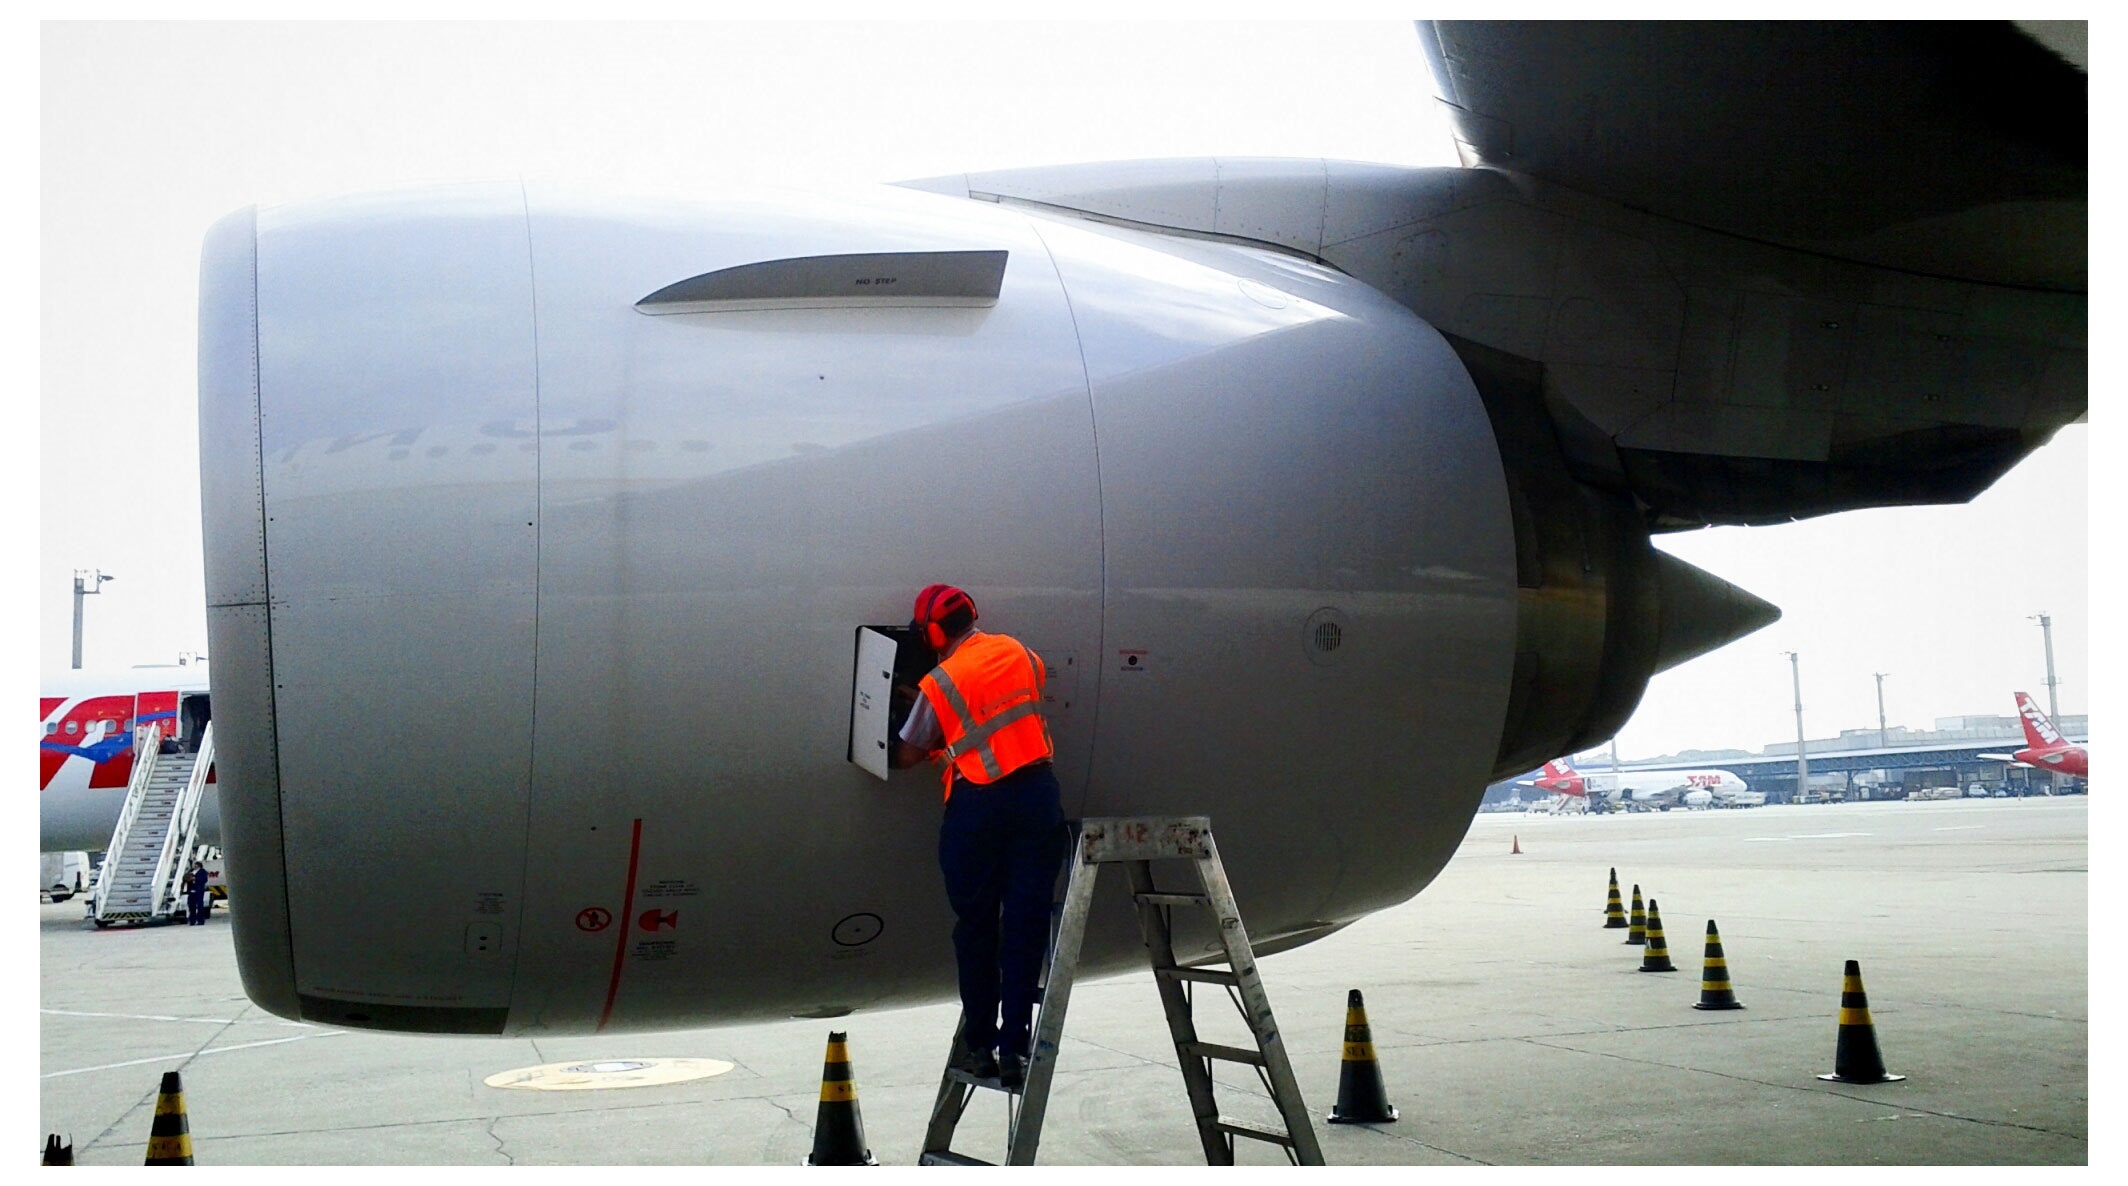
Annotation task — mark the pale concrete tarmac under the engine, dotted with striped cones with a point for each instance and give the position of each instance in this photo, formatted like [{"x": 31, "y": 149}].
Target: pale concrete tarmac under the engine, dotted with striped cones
[{"x": 1510, "y": 1023}]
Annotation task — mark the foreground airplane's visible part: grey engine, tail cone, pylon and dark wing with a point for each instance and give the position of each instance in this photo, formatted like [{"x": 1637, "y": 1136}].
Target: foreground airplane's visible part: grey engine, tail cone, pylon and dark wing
[{"x": 539, "y": 525}]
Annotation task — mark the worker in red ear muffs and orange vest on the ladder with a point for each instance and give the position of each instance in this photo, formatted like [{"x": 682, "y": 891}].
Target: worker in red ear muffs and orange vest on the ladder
[{"x": 1003, "y": 834}]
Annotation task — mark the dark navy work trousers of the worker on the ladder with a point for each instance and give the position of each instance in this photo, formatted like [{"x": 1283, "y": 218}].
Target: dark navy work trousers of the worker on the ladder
[{"x": 1001, "y": 849}]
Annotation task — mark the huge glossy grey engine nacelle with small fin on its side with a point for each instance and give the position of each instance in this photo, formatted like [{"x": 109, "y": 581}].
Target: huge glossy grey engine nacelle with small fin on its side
[{"x": 539, "y": 527}]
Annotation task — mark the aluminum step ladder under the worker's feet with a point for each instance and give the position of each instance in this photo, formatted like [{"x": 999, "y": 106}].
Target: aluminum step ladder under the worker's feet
[{"x": 1137, "y": 844}]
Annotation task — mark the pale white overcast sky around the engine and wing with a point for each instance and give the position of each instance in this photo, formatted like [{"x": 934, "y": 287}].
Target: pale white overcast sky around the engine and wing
[{"x": 152, "y": 133}]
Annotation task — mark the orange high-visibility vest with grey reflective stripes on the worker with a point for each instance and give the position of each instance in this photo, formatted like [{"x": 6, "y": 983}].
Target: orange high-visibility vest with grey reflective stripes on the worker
[{"x": 988, "y": 699}]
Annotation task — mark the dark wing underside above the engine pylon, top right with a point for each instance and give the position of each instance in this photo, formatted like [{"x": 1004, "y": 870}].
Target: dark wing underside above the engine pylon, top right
[{"x": 1897, "y": 144}]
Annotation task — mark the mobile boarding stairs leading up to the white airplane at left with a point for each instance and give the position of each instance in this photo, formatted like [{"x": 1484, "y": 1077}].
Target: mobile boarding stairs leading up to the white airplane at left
[{"x": 144, "y": 872}]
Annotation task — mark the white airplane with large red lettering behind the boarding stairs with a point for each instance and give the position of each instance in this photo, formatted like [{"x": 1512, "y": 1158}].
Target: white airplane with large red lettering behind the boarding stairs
[{"x": 88, "y": 740}]
